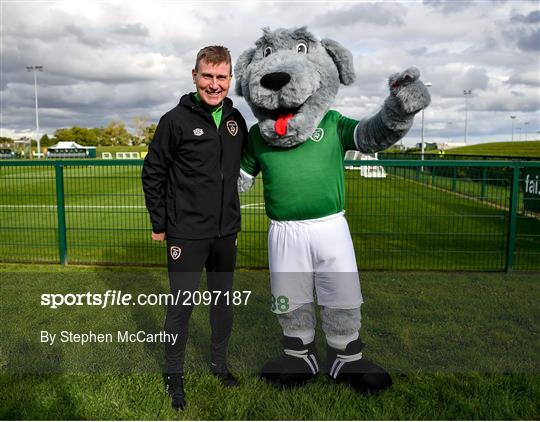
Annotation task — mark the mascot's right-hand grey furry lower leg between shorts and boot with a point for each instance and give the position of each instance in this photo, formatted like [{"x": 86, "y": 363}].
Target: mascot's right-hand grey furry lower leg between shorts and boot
[{"x": 340, "y": 326}]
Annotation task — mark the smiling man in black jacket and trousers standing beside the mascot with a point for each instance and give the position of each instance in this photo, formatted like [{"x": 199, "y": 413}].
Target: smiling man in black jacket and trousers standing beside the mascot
[{"x": 190, "y": 185}]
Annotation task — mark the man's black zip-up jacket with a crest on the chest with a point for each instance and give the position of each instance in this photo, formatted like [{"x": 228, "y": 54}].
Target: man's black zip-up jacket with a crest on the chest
[{"x": 190, "y": 173}]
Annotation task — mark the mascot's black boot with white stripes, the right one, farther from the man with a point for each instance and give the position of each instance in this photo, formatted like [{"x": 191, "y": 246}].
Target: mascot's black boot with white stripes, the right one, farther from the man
[{"x": 349, "y": 367}]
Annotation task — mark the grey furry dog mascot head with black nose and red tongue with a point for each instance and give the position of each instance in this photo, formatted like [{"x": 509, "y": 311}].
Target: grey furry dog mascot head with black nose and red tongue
[{"x": 289, "y": 80}]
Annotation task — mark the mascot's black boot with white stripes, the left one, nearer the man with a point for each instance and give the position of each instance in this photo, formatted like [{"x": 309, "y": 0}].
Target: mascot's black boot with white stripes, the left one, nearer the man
[{"x": 295, "y": 367}]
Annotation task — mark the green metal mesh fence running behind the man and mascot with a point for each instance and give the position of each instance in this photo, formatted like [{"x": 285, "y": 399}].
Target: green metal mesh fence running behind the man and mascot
[{"x": 403, "y": 215}]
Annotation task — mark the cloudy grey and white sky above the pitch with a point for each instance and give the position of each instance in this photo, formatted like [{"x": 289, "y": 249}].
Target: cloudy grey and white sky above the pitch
[{"x": 106, "y": 60}]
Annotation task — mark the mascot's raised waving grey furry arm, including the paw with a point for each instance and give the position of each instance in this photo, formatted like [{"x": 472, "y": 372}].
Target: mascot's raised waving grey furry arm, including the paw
[{"x": 408, "y": 95}]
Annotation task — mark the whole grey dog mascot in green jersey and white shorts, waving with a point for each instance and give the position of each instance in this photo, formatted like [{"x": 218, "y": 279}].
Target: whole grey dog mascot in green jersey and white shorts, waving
[{"x": 290, "y": 80}]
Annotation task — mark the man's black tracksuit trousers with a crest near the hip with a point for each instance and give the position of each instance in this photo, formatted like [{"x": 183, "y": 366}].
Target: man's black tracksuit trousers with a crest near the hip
[{"x": 186, "y": 260}]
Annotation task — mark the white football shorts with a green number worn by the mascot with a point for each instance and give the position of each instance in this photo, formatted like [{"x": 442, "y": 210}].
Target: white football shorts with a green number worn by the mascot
[{"x": 313, "y": 255}]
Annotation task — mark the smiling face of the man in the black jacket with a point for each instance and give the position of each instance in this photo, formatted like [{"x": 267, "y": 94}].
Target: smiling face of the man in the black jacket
[{"x": 213, "y": 82}]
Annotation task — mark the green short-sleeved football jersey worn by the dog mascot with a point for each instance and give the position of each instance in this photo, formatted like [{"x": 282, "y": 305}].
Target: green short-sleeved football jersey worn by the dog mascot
[{"x": 306, "y": 181}]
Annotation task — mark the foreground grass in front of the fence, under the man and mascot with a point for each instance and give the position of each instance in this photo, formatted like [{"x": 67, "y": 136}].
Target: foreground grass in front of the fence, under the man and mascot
[{"x": 458, "y": 345}]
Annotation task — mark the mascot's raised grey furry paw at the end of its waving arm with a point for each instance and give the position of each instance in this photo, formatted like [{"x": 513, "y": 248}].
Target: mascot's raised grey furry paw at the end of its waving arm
[{"x": 410, "y": 93}]
